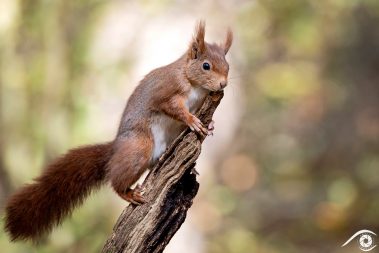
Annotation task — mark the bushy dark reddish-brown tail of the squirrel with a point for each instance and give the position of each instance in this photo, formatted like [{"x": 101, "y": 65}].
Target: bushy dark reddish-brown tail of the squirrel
[{"x": 36, "y": 208}]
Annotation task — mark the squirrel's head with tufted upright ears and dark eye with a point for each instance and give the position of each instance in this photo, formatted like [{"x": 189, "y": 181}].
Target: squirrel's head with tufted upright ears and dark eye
[{"x": 206, "y": 63}]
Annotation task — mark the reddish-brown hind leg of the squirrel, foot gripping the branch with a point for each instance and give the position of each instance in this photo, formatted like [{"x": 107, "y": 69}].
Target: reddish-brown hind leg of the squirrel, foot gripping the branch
[{"x": 130, "y": 160}]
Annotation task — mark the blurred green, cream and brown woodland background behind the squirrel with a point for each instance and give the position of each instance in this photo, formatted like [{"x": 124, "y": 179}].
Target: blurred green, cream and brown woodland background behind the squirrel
[{"x": 293, "y": 165}]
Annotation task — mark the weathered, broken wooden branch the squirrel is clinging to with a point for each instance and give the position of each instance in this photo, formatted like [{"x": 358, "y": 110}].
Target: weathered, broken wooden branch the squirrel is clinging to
[{"x": 169, "y": 188}]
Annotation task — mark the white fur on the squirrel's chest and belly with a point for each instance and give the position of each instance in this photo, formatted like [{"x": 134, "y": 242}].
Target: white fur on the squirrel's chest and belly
[{"x": 165, "y": 129}]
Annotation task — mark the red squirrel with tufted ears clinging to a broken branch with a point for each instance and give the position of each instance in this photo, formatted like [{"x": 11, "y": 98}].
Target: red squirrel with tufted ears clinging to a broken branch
[{"x": 161, "y": 106}]
